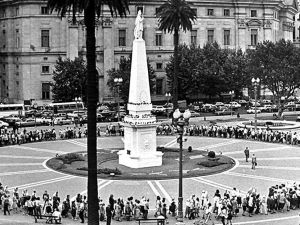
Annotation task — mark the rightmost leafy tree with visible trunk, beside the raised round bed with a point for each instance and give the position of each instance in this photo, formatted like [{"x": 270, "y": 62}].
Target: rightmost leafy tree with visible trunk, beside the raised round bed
[{"x": 277, "y": 65}]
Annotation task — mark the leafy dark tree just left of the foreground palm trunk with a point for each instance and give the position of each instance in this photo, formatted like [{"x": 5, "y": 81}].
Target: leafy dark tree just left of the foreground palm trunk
[{"x": 69, "y": 78}]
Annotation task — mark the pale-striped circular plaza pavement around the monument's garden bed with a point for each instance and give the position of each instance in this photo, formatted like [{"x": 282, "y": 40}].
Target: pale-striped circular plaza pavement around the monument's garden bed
[{"x": 24, "y": 166}]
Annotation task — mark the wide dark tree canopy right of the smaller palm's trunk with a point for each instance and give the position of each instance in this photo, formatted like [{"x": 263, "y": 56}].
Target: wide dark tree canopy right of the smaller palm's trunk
[{"x": 209, "y": 70}]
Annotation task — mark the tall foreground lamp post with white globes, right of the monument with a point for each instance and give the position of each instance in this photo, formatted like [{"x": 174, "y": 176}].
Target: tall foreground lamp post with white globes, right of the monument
[{"x": 180, "y": 120}]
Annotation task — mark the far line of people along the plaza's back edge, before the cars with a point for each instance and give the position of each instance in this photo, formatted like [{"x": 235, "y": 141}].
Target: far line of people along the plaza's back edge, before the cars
[{"x": 23, "y": 135}]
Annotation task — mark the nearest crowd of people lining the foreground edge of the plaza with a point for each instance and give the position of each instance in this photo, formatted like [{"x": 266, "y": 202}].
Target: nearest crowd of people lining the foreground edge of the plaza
[{"x": 202, "y": 209}]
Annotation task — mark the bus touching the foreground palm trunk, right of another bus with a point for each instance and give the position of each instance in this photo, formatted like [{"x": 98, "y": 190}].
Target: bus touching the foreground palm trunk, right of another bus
[{"x": 66, "y": 107}]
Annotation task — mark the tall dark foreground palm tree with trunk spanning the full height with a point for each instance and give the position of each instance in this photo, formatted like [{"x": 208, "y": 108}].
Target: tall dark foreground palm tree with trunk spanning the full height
[{"x": 91, "y": 8}]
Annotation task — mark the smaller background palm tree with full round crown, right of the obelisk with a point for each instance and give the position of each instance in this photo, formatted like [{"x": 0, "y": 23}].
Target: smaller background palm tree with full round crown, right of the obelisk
[{"x": 173, "y": 16}]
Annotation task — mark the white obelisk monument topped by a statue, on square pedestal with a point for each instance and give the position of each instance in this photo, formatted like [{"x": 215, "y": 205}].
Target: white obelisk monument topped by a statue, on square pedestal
[{"x": 139, "y": 124}]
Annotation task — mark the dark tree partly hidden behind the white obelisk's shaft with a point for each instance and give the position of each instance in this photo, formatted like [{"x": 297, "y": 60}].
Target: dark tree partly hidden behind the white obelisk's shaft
[{"x": 124, "y": 73}]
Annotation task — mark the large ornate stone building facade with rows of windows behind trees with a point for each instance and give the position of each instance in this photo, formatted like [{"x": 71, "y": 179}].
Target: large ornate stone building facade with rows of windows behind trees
[{"x": 32, "y": 38}]
